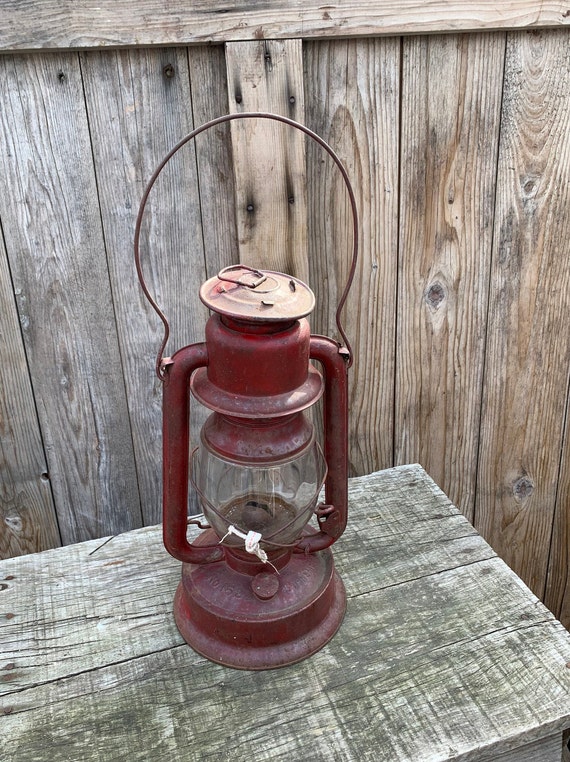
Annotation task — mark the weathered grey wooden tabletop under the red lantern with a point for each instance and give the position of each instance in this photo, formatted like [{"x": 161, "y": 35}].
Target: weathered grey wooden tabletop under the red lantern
[{"x": 443, "y": 655}]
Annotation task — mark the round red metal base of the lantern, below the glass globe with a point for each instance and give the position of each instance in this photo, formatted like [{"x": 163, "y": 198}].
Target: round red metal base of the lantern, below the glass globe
[{"x": 263, "y": 621}]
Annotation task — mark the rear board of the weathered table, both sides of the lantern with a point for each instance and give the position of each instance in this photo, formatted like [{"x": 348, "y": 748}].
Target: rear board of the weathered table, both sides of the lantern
[{"x": 82, "y": 626}]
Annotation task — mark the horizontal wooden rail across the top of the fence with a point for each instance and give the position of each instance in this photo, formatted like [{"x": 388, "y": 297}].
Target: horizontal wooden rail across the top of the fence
[{"x": 40, "y": 24}]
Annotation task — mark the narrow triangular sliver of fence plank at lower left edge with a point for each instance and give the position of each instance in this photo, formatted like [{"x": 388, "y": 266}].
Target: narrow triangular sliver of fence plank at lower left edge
[{"x": 27, "y": 514}]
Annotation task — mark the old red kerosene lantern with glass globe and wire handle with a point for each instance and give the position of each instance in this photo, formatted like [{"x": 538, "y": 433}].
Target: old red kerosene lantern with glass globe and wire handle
[{"x": 259, "y": 588}]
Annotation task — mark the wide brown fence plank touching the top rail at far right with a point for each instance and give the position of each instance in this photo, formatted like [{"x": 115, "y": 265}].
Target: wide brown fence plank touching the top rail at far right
[{"x": 528, "y": 352}]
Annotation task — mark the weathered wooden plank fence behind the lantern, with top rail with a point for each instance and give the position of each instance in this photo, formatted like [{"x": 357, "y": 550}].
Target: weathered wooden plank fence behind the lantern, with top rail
[{"x": 458, "y": 146}]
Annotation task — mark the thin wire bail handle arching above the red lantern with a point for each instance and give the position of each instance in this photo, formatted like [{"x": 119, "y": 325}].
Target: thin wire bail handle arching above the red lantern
[{"x": 347, "y": 350}]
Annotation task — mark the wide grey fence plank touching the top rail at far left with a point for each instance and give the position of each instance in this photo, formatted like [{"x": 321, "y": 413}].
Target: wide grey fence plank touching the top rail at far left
[{"x": 53, "y": 237}]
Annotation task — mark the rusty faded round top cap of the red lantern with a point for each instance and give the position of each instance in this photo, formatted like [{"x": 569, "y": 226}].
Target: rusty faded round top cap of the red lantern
[{"x": 242, "y": 293}]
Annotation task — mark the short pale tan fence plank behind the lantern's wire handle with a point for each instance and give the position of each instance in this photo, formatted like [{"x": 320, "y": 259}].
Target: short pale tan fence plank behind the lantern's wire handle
[{"x": 269, "y": 158}]
